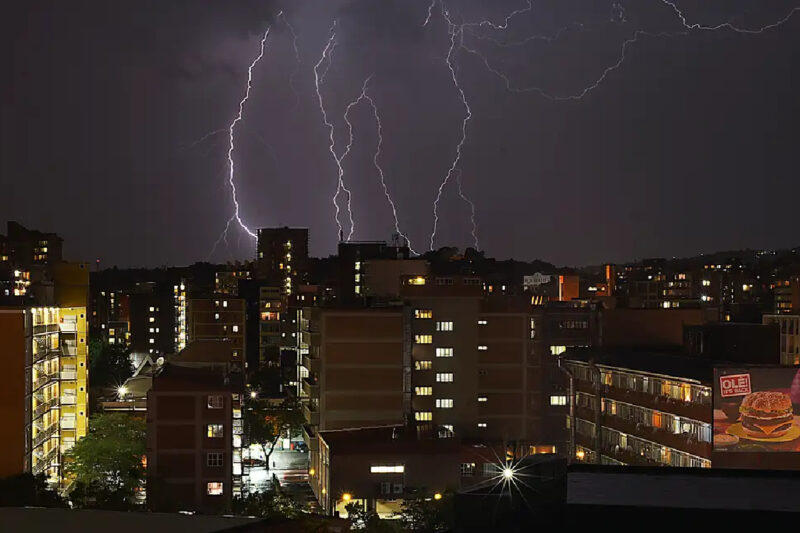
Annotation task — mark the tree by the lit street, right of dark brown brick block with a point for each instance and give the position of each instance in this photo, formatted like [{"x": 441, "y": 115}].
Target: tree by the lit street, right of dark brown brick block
[{"x": 264, "y": 424}]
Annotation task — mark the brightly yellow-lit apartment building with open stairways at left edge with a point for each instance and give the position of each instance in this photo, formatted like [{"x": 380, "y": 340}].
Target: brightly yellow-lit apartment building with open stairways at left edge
[{"x": 44, "y": 400}]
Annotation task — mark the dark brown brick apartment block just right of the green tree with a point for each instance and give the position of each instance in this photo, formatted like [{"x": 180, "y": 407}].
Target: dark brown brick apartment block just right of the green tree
[{"x": 194, "y": 439}]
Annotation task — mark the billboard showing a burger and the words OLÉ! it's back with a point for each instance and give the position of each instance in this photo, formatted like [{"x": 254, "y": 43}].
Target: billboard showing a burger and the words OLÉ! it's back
[{"x": 757, "y": 409}]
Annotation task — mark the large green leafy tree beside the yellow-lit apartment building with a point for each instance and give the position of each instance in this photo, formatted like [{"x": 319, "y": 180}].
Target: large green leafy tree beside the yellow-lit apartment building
[{"x": 107, "y": 463}]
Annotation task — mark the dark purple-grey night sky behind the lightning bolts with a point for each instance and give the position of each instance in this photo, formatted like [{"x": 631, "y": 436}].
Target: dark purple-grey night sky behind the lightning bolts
[{"x": 690, "y": 146}]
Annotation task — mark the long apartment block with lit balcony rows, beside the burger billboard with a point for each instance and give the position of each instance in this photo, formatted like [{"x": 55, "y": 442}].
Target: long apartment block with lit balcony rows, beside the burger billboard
[{"x": 640, "y": 408}]
